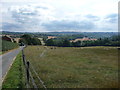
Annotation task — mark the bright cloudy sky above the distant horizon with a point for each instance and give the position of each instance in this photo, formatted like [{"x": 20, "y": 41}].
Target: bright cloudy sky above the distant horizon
[{"x": 59, "y": 15}]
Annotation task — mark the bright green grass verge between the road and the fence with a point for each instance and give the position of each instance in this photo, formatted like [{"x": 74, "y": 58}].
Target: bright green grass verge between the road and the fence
[{"x": 15, "y": 78}]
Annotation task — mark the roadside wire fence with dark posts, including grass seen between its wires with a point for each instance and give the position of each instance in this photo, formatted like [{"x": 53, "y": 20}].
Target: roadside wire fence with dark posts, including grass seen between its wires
[{"x": 31, "y": 75}]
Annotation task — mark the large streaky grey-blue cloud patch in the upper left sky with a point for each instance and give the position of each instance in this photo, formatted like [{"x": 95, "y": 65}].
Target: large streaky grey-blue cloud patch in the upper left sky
[{"x": 28, "y": 16}]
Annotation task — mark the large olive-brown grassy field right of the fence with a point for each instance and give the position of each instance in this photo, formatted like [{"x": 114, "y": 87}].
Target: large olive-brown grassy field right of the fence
[{"x": 70, "y": 67}]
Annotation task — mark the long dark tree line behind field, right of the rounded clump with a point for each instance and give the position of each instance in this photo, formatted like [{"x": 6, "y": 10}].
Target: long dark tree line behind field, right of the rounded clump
[{"x": 65, "y": 42}]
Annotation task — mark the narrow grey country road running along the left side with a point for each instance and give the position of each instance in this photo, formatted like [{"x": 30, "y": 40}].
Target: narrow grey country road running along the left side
[{"x": 7, "y": 60}]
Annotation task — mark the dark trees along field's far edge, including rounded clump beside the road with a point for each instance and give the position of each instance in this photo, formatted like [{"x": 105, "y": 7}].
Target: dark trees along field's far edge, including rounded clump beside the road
[{"x": 65, "y": 42}]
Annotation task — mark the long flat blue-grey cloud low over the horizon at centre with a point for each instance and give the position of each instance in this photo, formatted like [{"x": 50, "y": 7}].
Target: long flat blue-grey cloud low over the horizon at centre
[{"x": 68, "y": 25}]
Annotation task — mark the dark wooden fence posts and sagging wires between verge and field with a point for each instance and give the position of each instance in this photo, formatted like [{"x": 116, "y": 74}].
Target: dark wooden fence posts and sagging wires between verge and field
[{"x": 29, "y": 76}]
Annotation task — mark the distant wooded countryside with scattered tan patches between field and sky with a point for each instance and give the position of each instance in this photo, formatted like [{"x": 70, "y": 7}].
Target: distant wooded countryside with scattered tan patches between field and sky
[{"x": 76, "y": 39}]
